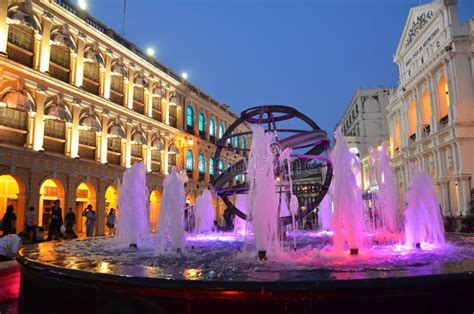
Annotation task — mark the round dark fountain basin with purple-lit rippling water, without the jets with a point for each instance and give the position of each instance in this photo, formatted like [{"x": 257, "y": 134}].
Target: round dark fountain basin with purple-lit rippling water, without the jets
[{"x": 136, "y": 280}]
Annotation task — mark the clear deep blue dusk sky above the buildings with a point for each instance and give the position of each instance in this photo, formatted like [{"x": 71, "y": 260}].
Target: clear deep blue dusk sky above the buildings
[{"x": 309, "y": 54}]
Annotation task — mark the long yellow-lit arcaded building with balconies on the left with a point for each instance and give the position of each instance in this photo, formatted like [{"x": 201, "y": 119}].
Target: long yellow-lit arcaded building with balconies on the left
[{"x": 79, "y": 104}]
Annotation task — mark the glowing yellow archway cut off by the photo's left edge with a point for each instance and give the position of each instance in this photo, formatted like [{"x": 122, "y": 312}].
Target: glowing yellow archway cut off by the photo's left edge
[{"x": 12, "y": 192}]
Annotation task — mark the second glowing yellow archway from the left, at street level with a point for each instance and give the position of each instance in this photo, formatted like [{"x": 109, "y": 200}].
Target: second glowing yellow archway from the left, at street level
[{"x": 51, "y": 190}]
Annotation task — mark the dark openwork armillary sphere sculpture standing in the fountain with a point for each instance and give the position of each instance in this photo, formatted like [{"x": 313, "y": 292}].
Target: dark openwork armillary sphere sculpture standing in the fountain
[{"x": 308, "y": 160}]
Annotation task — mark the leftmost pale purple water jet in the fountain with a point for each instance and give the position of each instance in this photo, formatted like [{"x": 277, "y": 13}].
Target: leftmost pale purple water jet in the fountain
[{"x": 133, "y": 222}]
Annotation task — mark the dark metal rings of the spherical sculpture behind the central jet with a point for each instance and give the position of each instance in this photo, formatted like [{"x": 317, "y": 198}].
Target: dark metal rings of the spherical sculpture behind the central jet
[{"x": 305, "y": 164}]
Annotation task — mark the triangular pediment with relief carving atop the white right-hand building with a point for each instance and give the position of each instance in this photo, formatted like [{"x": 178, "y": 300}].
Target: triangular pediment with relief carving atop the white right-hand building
[{"x": 418, "y": 21}]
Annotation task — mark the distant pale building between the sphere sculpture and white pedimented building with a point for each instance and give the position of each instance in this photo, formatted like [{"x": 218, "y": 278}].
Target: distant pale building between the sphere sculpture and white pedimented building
[{"x": 364, "y": 122}]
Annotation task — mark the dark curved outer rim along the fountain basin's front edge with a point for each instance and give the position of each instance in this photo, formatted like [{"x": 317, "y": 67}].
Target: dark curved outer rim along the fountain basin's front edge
[{"x": 28, "y": 263}]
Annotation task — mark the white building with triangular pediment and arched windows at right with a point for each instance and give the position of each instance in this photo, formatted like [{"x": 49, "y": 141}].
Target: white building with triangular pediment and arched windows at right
[{"x": 431, "y": 116}]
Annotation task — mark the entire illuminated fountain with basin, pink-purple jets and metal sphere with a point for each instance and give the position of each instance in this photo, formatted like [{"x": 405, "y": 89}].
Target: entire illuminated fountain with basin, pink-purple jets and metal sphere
[{"x": 305, "y": 272}]
